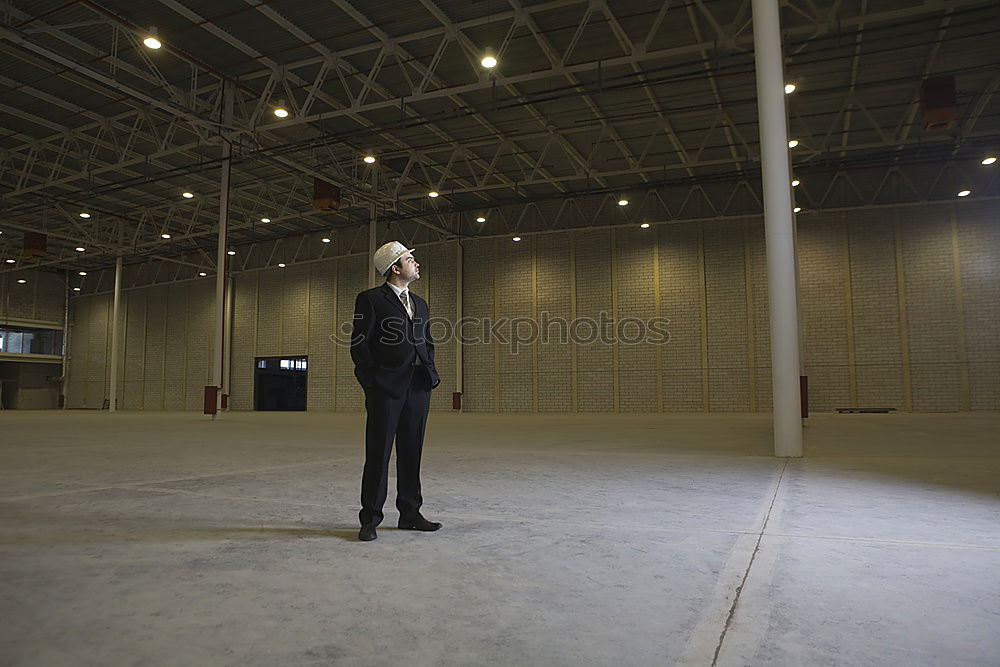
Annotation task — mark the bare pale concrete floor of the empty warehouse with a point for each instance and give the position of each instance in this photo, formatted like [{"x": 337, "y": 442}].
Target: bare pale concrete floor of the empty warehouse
[{"x": 166, "y": 539}]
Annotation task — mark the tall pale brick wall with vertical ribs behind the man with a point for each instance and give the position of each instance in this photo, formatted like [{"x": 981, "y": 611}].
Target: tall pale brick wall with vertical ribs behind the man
[{"x": 899, "y": 309}]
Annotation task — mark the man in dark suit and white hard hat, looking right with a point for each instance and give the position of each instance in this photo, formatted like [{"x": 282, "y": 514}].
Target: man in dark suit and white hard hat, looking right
[{"x": 394, "y": 362}]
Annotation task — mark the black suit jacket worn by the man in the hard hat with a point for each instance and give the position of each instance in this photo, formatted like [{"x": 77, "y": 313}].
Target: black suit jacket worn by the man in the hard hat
[{"x": 385, "y": 343}]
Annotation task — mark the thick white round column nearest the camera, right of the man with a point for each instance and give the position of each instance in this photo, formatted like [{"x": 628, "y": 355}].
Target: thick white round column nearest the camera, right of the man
[{"x": 778, "y": 229}]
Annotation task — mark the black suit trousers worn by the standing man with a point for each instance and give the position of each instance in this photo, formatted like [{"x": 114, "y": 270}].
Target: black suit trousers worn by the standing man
[{"x": 403, "y": 419}]
